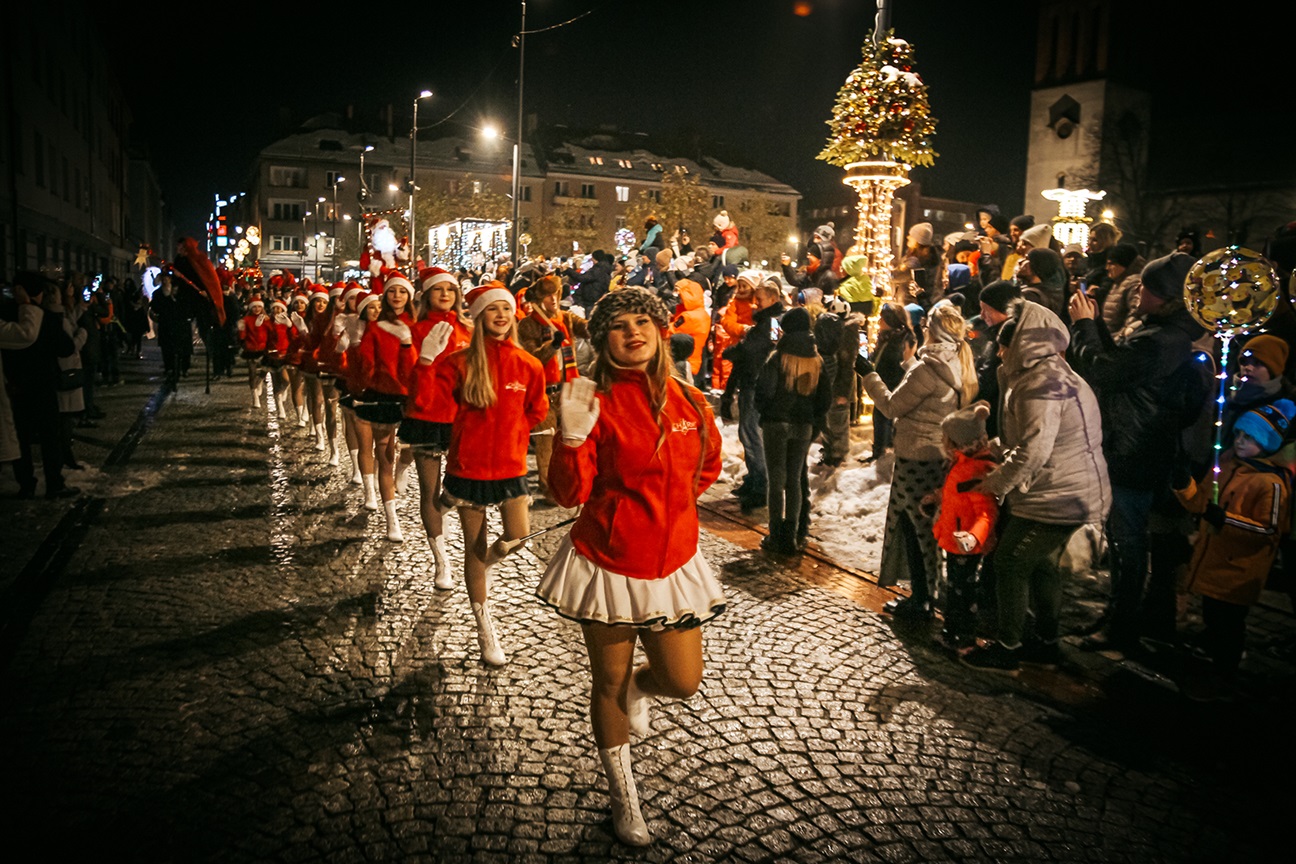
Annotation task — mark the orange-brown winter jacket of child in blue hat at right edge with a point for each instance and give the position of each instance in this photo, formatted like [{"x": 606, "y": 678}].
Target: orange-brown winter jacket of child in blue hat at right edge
[{"x": 1233, "y": 563}]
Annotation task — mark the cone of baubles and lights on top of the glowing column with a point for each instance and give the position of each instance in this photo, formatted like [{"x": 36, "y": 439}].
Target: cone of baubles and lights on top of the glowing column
[{"x": 882, "y": 112}]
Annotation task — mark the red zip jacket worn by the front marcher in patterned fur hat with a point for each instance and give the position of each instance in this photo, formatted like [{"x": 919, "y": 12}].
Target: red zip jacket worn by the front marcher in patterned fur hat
[{"x": 641, "y": 499}]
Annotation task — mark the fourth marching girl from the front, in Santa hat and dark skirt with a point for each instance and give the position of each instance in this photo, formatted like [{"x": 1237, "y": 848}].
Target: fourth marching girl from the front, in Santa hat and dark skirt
[{"x": 387, "y": 358}]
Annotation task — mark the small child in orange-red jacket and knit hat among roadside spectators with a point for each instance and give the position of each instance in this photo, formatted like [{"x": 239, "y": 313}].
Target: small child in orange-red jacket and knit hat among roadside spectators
[{"x": 965, "y": 528}]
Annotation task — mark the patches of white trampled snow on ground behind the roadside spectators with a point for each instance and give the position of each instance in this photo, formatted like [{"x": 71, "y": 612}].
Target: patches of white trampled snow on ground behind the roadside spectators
[{"x": 848, "y": 506}]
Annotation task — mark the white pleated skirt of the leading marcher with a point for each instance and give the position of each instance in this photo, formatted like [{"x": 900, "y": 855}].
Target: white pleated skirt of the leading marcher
[{"x": 585, "y": 593}]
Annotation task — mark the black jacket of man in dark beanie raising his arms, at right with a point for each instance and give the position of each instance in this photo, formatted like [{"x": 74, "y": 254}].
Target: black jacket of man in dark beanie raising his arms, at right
[{"x": 1142, "y": 389}]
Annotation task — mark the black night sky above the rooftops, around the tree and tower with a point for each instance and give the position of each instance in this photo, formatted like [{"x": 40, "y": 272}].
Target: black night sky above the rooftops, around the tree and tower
[{"x": 754, "y": 74}]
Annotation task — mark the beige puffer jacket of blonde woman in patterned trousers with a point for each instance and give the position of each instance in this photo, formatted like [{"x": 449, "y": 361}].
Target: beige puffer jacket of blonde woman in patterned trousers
[{"x": 926, "y": 396}]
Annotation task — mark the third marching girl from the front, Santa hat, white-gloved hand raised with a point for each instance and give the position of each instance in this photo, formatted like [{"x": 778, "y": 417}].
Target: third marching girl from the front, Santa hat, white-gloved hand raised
[{"x": 440, "y": 332}]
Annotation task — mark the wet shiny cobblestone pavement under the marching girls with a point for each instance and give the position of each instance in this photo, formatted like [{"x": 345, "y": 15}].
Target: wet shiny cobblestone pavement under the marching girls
[{"x": 214, "y": 655}]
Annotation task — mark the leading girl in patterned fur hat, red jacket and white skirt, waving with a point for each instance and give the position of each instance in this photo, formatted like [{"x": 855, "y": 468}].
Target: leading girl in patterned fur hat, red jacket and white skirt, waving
[{"x": 638, "y": 449}]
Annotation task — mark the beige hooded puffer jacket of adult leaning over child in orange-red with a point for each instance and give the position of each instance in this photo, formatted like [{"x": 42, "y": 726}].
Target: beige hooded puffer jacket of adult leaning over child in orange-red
[{"x": 1053, "y": 470}]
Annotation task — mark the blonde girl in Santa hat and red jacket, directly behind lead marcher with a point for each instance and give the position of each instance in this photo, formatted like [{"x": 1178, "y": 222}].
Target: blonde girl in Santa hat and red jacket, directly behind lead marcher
[{"x": 500, "y": 391}]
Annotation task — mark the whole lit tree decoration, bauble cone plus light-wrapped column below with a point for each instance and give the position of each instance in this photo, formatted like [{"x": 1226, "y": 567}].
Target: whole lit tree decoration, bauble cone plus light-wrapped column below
[{"x": 882, "y": 128}]
